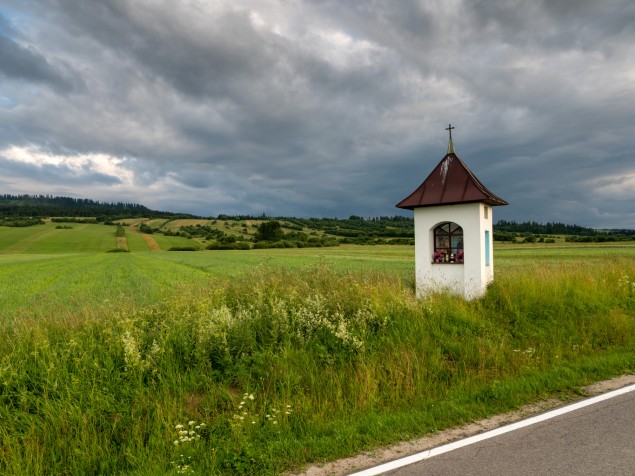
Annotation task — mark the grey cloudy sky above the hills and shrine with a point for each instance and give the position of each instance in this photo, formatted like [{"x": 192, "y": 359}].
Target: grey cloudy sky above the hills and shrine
[{"x": 320, "y": 108}]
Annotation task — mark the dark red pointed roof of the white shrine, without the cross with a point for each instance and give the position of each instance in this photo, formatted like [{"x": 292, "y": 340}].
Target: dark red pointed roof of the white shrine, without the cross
[{"x": 451, "y": 182}]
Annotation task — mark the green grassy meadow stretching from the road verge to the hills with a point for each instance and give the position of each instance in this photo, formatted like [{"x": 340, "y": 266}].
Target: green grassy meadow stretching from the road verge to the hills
[{"x": 263, "y": 361}]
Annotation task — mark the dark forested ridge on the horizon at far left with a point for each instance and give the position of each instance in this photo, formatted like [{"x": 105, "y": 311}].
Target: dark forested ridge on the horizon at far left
[{"x": 41, "y": 206}]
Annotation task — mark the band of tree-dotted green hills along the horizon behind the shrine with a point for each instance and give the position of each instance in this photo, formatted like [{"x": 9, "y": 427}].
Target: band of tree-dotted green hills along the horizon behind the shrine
[{"x": 224, "y": 232}]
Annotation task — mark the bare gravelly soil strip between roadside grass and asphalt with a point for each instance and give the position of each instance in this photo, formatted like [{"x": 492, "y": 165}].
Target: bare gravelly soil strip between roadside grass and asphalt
[{"x": 406, "y": 448}]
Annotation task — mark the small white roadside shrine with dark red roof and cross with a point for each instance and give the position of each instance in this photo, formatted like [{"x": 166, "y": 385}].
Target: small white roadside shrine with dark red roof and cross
[{"x": 453, "y": 229}]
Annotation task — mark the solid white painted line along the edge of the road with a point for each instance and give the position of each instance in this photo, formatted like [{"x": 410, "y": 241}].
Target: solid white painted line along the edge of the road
[{"x": 400, "y": 463}]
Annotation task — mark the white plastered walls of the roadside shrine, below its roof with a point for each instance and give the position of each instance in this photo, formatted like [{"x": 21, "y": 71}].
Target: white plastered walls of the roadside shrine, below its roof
[{"x": 469, "y": 279}]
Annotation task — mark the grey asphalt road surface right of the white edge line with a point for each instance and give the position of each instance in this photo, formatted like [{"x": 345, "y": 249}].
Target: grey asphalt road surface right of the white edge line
[{"x": 595, "y": 440}]
